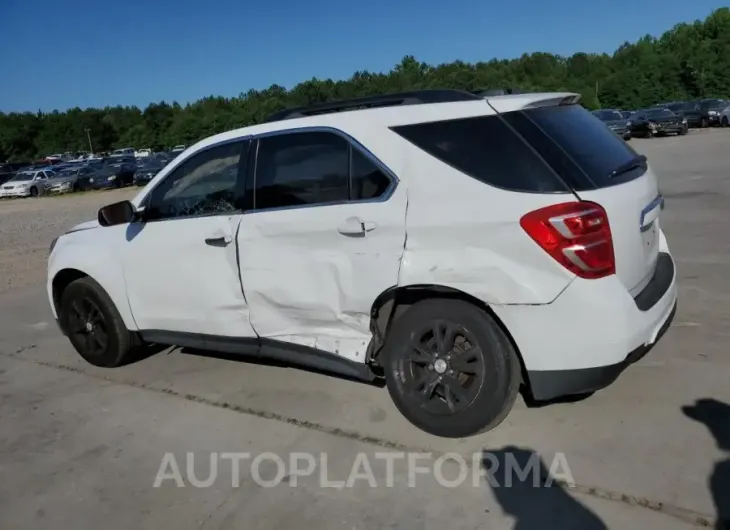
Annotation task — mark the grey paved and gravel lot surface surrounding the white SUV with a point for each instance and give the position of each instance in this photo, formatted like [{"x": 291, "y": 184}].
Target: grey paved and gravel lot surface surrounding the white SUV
[{"x": 80, "y": 446}]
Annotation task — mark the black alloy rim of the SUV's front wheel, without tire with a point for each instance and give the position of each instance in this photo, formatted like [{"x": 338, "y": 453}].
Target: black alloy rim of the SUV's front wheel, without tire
[{"x": 87, "y": 327}]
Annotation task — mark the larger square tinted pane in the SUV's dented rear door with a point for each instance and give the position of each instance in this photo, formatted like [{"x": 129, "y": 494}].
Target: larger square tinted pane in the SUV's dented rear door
[{"x": 301, "y": 169}]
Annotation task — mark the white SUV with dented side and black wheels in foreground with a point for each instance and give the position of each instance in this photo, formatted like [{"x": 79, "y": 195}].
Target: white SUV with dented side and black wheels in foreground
[{"x": 456, "y": 246}]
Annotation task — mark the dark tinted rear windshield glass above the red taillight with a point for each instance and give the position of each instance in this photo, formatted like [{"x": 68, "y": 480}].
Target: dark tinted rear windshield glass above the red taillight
[{"x": 576, "y": 144}]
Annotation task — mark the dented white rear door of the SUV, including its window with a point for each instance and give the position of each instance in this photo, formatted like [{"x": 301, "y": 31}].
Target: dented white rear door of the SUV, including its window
[{"x": 322, "y": 237}]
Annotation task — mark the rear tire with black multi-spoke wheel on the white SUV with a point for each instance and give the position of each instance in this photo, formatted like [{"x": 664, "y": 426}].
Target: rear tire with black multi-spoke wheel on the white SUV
[{"x": 481, "y": 390}]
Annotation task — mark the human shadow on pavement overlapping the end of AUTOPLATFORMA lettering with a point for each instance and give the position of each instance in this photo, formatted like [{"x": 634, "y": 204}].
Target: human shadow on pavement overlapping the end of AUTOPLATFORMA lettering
[{"x": 535, "y": 499}]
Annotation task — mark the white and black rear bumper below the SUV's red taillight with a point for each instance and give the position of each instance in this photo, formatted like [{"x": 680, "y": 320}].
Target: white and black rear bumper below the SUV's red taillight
[{"x": 585, "y": 338}]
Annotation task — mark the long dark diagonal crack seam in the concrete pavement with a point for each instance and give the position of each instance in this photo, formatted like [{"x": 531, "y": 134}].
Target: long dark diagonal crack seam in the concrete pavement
[{"x": 680, "y": 513}]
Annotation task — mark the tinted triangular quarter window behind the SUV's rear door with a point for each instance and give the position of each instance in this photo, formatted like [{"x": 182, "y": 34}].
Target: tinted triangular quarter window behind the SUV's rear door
[{"x": 486, "y": 149}]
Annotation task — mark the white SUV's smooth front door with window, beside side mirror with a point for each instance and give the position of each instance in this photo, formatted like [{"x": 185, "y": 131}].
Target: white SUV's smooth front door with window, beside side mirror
[{"x": 180, "y": 262}]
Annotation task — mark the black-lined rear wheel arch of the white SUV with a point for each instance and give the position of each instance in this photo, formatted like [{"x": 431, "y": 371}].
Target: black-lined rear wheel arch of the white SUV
[{"x": 393, "y": 302}]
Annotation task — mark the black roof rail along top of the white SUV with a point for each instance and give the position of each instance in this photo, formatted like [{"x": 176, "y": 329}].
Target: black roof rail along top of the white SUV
[{"x": 416, "y": 97}]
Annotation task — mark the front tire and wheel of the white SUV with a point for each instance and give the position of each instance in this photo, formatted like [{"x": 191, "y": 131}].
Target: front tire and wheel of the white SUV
[{"x": 109, "y": 344}]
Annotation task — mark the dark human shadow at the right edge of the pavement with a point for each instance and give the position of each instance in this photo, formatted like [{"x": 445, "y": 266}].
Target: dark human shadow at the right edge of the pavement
[{"x": 716, "y": 417}]
